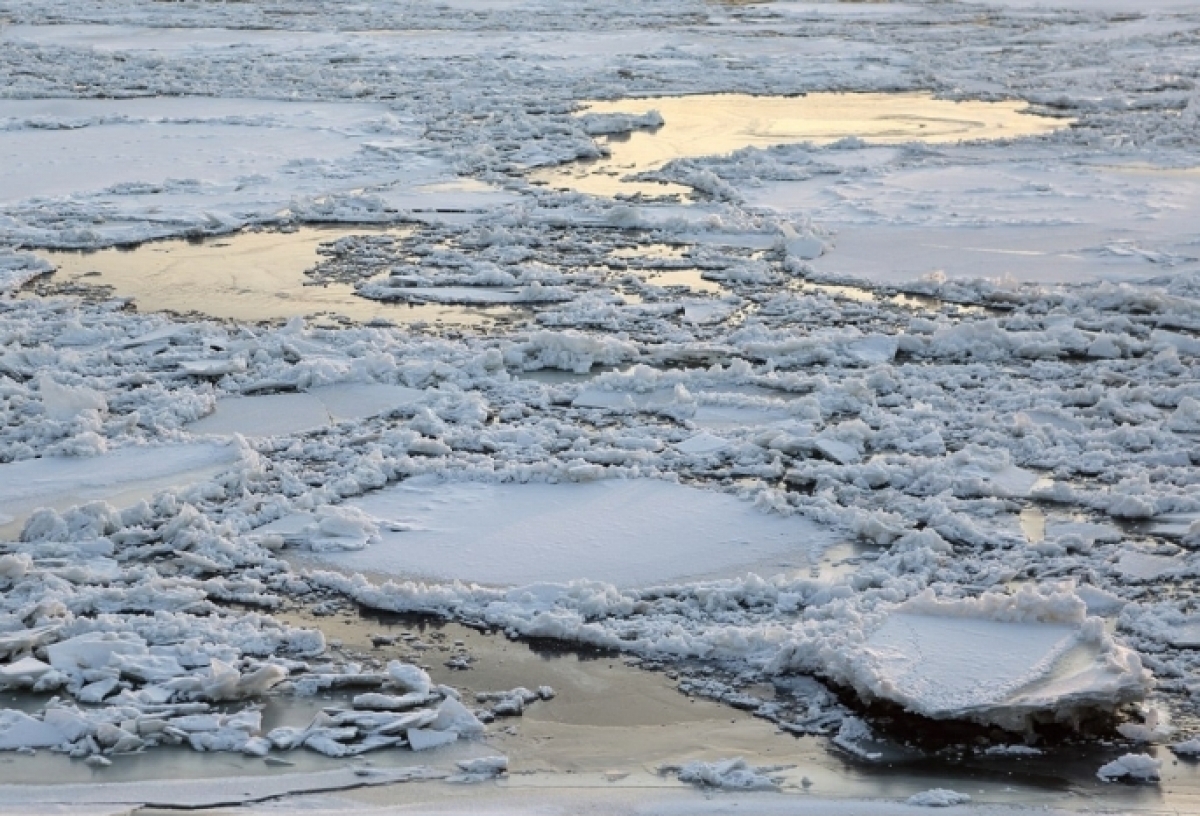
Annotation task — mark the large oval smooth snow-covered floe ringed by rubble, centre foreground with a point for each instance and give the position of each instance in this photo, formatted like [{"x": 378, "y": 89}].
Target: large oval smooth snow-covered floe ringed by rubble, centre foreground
[{"x": 632, "y": 532}]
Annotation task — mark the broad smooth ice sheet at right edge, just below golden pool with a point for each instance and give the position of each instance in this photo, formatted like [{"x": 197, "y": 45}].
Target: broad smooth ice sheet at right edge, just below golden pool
[{"x": 1036, "y": 219}]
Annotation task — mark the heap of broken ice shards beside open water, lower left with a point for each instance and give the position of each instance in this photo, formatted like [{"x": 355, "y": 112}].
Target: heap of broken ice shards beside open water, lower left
[{"x": 179, "y": 707}]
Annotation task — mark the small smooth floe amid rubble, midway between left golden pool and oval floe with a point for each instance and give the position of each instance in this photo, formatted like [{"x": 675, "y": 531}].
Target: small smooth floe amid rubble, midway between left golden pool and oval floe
[{"x": 281, "y": 415}]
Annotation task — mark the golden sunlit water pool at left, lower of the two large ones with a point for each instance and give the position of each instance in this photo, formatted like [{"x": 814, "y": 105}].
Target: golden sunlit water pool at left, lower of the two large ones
[{"x": 249, "y": 278}]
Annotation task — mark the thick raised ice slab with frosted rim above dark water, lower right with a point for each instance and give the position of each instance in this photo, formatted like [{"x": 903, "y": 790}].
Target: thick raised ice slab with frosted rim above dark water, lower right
[{"x": 997, "y": 659}]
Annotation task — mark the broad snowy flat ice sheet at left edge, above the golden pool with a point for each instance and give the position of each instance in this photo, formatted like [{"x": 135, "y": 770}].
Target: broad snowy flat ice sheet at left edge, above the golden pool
[{"x": 142, "y": 169}]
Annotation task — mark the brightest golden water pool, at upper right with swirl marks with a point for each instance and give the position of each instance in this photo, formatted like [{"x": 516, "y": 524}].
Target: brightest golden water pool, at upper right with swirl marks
[{"x": 718, "y": 124}]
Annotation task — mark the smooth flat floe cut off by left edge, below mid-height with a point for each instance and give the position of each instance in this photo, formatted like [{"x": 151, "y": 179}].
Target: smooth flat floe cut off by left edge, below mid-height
[{"x": 122, "y": 477}]
